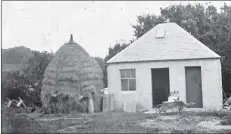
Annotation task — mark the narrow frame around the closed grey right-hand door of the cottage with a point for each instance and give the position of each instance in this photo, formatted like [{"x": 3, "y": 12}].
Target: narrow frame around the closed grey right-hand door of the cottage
[{"x": 201, "y": 83}]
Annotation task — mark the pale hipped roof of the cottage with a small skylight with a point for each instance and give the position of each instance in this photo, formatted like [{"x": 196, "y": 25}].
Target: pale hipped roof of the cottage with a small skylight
[{"x": 176, "y": 44}]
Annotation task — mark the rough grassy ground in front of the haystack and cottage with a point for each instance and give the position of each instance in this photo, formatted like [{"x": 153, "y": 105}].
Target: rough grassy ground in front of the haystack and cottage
[{"x": 117, "y": 122}]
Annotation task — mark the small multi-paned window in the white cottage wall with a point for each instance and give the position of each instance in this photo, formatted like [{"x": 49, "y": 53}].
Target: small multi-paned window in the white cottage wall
[{"x": 128, "y": 79}]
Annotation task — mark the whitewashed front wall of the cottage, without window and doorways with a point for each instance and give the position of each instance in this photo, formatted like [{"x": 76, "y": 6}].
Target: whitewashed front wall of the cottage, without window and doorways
[{"x": 142, "y": 97}]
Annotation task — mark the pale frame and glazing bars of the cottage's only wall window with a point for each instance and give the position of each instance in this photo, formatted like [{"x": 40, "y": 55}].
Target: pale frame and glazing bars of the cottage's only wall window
[{"x": 128, "y": 78}]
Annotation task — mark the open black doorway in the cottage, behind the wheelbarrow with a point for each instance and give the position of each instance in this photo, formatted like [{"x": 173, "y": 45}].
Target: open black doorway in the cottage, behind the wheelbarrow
[{"x": 160, "y": 85}]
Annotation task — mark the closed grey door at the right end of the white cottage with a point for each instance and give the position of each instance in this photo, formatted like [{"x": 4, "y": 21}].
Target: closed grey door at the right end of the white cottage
[{"x": 193, "y": 86}]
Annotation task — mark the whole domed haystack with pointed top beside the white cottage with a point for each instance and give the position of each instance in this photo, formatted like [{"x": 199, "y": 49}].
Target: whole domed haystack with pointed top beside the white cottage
[{"x": 68, "y": 73}]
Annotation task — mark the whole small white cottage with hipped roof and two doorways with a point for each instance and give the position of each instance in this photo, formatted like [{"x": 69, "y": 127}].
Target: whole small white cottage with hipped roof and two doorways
[{"x": 165, "y": 59}]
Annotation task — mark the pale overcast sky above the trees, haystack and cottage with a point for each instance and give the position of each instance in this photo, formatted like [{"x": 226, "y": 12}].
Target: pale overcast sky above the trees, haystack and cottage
[{"x": 95, "y": 25}]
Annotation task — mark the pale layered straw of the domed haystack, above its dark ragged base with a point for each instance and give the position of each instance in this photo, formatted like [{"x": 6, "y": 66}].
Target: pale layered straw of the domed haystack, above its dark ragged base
[{"x": 70, "y": 71}]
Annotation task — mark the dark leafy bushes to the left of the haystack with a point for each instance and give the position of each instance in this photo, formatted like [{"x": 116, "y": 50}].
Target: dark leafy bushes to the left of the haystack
[{"x": 26, "y": 83}]
